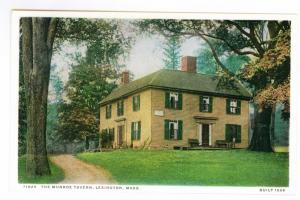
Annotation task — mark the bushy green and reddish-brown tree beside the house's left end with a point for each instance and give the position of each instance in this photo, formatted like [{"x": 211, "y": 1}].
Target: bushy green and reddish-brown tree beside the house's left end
[{"x": 86, "y": 87}]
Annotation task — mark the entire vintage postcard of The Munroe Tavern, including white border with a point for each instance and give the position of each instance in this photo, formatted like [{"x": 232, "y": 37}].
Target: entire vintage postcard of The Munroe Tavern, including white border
[{"x": 181, "y": 102}]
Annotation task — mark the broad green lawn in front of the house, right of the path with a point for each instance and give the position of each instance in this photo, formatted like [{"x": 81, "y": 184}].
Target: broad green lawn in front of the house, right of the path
[{"x": 207, "y": 168}]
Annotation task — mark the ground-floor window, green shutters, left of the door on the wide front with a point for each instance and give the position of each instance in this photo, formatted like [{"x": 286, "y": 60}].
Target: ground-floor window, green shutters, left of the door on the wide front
[{"x": 173, "y": 129}]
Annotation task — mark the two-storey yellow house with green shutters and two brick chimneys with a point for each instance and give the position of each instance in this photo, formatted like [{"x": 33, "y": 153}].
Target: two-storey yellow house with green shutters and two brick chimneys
[{"x": 177, "y": 108}]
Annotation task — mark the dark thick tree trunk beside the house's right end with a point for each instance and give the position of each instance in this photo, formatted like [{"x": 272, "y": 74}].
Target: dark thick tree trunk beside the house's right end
[{"x": 261, "y": 140}]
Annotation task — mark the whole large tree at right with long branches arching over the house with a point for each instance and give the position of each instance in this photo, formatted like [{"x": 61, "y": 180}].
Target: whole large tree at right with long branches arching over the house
[{"x": 255, "y": 39}]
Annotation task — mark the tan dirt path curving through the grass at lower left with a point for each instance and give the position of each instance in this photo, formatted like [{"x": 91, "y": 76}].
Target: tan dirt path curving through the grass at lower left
[{"x": 77, "y": 171}]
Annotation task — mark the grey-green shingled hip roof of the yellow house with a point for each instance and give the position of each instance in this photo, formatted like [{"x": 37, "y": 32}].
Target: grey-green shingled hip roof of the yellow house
[{"x": 180, "y": 81}]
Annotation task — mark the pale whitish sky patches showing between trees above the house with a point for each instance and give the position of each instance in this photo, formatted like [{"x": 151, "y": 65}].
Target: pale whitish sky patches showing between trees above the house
[{"x": 145, "y": 56}]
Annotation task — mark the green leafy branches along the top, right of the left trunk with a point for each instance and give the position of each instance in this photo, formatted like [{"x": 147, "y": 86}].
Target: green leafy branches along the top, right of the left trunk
[{"x": 102, "y": 37}]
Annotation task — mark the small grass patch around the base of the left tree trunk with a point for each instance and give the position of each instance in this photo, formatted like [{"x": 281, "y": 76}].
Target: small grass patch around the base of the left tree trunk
[{"x": 56, "y": 174}]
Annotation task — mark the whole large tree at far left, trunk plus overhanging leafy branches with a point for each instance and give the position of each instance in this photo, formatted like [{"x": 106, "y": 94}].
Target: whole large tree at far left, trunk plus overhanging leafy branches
[{"x": 38, "y": 35}]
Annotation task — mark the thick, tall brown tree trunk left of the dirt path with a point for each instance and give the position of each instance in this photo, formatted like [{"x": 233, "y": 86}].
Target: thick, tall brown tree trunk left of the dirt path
[{"x": 38, "y": 35}]
